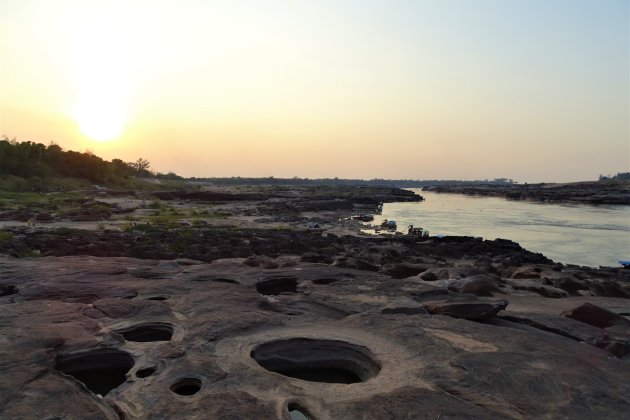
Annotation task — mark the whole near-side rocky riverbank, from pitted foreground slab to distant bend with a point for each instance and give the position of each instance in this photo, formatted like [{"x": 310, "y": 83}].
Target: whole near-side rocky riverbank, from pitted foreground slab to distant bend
[{"x": 282, "y": 307}]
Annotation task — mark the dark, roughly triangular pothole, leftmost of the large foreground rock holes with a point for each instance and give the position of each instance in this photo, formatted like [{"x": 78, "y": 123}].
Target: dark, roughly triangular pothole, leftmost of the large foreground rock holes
[{"x": 99, "y": 370}]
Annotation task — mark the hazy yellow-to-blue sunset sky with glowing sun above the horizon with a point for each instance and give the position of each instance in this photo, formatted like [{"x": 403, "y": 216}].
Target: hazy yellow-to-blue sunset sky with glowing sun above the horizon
[{"x": 533, "y": 90}]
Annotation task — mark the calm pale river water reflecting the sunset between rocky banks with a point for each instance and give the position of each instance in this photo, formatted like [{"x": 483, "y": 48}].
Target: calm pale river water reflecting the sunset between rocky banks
[{"x": 568, "y": 233}]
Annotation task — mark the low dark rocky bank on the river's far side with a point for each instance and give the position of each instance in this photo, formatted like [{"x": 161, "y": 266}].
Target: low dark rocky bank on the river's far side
[{"x": 601, "y": 192}]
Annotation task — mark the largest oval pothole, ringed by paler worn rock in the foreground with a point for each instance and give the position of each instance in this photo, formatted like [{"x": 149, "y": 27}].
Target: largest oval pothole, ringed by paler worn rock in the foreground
[{"x": 317, "y": 360}]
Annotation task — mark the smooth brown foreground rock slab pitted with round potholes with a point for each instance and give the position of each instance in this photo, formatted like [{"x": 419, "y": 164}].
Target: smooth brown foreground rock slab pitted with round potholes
[{"x": 245, "y": 337}]
